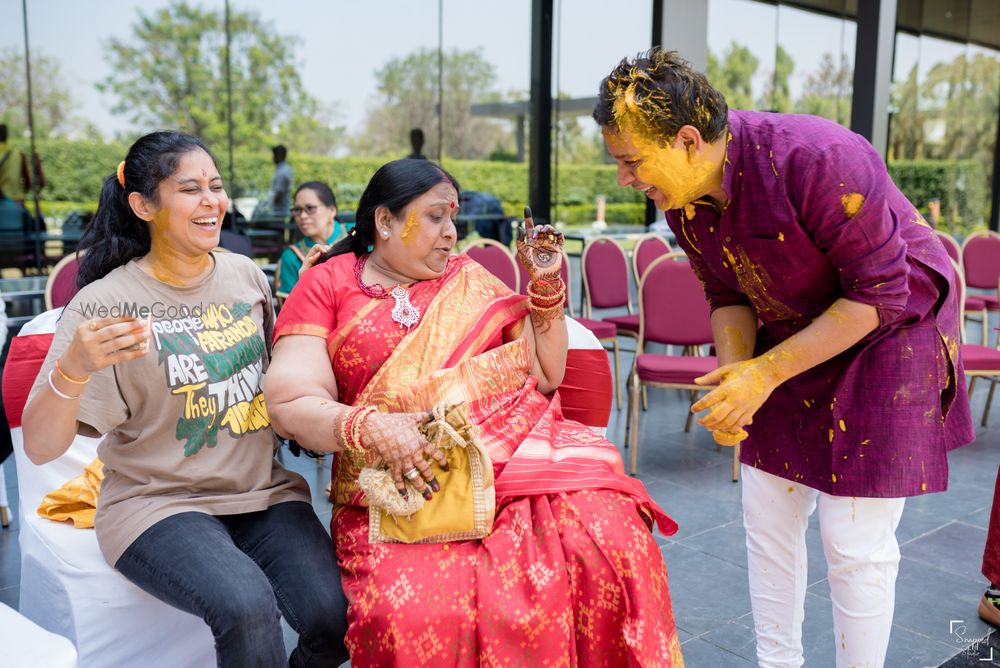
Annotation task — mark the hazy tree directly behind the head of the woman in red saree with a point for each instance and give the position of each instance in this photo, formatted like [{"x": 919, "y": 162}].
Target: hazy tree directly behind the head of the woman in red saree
[{"x": 407, "y": 98}]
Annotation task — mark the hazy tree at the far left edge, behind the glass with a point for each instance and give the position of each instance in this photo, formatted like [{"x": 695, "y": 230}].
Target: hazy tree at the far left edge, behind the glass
[{"x": 50, "y": 97}]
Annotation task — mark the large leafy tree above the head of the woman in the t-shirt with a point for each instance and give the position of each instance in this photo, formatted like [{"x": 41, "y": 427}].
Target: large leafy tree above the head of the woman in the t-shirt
[{"x": 171, "y": 73}]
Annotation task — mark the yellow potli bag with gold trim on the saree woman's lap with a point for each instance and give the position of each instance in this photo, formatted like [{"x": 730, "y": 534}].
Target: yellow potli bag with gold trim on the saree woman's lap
[{"x": 465, "y": 507}]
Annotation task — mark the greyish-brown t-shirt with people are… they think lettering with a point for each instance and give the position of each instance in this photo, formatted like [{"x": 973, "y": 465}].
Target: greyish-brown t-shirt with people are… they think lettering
[{"x": 185, "y": 427}]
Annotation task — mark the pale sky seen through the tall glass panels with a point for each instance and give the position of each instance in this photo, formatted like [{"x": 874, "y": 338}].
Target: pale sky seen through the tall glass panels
[{"x": 341, "y": 43}]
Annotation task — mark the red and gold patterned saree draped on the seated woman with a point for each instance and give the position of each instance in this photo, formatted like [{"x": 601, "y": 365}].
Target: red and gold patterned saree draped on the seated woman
[{"x": 570, "y": 574}]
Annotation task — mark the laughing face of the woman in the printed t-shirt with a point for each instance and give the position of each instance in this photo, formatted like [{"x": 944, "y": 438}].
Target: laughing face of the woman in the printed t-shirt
[{"x": 187, "y": 217}]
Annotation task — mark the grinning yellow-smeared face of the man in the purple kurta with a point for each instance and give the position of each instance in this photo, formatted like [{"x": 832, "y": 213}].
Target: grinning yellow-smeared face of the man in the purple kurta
[{"x": 671, "y": 176}]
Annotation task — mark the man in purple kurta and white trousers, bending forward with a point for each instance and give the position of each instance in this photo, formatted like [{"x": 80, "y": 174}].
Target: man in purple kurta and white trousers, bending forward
[{"x": 851, "y": 390}]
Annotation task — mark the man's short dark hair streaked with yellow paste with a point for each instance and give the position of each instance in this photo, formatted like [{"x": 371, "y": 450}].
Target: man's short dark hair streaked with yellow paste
[{"x": 656, "y": 93}]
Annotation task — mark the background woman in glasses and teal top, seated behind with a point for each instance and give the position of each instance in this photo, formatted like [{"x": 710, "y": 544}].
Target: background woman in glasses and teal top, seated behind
[{"x": 315, "y": 214}]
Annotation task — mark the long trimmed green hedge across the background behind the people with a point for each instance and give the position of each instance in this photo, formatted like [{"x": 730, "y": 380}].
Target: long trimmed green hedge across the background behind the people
[{"x": 75, "y": 172}]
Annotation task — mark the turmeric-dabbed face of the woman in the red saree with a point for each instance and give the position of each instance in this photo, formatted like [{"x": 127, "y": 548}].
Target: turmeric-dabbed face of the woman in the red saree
[{"x": 420, "y": 240}]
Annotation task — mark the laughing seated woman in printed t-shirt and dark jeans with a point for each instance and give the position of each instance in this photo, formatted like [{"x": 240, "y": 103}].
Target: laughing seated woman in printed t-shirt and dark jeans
[{"x": 194, "y": 508}]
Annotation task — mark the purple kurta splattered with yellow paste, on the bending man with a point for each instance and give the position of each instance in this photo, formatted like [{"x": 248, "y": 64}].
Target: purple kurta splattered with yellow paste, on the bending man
[{"x": 812, "y": 217}]
